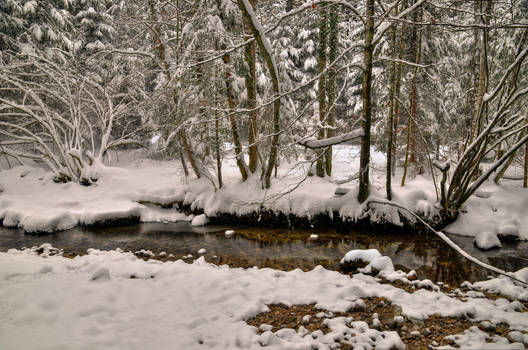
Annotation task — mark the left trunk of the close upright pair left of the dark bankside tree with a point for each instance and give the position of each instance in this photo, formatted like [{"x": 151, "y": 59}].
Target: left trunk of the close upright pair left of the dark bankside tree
[{"x": 321, "y": 60}]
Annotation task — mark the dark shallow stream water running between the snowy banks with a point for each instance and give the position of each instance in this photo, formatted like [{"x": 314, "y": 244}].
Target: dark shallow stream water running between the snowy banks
[{"x": 280, "y": 248}]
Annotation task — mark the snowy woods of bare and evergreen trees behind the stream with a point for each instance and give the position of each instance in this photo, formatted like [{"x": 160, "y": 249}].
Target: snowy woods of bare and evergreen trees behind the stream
[{"x": 439, "y": 86}]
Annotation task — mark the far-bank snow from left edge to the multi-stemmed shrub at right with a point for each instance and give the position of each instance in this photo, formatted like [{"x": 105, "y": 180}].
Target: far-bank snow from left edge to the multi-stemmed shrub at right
[{"x": 32, "y": 201}]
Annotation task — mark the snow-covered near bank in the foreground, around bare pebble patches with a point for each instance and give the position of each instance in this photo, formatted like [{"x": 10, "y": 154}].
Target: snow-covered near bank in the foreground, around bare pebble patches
[{"x": 113, "y": 300}]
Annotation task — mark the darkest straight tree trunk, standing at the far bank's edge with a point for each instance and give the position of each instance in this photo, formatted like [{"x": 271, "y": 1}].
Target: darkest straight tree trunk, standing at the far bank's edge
[{"x": 364, "y": 161}]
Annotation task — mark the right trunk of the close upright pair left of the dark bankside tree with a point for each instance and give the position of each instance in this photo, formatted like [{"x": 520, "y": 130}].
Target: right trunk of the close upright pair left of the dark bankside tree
[{"x": 331, "y": 85}]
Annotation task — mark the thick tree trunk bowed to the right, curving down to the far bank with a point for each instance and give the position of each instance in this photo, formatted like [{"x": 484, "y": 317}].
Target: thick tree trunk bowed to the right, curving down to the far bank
[{"x": 265, "y": 49}]
